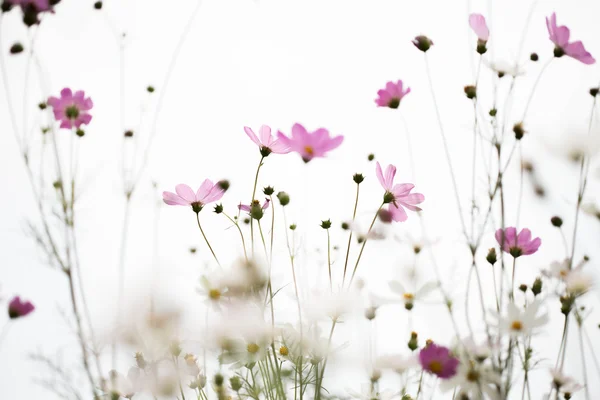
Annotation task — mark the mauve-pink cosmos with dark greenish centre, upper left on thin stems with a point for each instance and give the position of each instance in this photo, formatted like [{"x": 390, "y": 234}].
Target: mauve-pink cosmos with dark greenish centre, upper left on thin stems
[{"x": 71, "y": 110}]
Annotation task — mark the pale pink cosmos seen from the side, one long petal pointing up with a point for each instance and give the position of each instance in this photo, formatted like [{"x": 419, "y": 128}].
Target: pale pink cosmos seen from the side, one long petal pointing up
[{"x": 398, "y": 196}]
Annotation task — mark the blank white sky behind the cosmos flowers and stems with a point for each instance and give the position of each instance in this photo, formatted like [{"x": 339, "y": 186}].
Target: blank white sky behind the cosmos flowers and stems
[{"x": 278, "y": 62}]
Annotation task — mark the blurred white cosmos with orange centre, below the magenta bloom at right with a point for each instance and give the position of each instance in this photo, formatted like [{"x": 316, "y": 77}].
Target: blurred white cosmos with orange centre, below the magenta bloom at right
[{"x": 518, "y": 322}]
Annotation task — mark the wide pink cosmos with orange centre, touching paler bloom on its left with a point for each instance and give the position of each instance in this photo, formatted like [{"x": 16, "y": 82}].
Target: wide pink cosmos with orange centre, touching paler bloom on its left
[{"x": 310, "y": 144}]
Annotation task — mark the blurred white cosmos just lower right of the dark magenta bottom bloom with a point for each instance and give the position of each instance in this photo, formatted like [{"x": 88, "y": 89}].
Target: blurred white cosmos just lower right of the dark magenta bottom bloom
[{"x": 474, "y": 381}]
